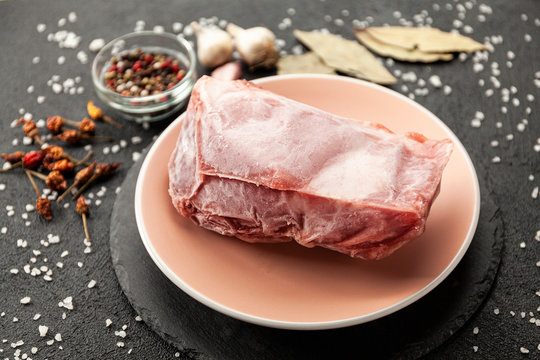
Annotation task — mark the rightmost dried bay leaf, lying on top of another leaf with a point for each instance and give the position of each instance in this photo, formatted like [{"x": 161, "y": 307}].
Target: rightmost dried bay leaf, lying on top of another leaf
[{"x": 425, "y": 39}]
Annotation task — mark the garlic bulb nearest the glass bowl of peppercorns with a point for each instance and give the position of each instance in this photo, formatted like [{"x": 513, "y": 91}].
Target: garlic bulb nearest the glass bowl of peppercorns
[{"x": 214, "y": 46}]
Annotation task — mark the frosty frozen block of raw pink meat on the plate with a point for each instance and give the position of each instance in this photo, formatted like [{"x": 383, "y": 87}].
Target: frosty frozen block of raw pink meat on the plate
[{"x": 264, "y": 168}]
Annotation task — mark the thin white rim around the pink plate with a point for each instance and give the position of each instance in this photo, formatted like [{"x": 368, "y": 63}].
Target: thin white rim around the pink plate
[{"x": 319, "y": 325}]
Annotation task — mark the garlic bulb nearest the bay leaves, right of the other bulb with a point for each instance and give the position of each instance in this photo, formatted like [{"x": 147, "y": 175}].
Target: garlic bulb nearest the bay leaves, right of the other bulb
[{"x": 255, "y": 45}]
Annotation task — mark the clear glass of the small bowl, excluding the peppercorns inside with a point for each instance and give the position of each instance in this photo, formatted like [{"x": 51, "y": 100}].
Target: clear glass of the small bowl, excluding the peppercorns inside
[{"x": 151, "y": 107}]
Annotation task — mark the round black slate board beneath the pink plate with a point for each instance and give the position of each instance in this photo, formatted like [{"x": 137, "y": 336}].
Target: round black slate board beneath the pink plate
[{"x": 202, "y": 333}]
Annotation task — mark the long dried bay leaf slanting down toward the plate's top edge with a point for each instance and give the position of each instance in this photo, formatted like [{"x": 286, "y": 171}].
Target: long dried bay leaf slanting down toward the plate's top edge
[{"x": 346, "y": 56}]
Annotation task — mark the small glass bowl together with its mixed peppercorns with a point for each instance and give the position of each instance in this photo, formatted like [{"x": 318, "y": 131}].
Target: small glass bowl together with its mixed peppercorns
[{"x": 147, "y": 76}]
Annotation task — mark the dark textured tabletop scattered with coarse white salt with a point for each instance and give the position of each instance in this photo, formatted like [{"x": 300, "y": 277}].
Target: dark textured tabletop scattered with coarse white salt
[{"x": 502, "y": 149}]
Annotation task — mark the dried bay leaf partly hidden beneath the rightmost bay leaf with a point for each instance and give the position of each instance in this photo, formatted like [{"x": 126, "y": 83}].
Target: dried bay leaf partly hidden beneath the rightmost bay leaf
[{"x": 398, "y": 52}]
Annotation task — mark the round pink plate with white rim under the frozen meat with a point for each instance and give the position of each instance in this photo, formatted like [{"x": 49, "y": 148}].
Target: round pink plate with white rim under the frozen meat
[{"x": 287, "y": 285}]
